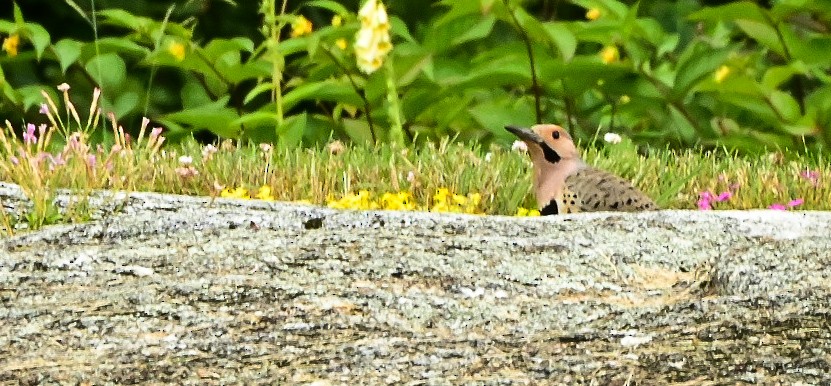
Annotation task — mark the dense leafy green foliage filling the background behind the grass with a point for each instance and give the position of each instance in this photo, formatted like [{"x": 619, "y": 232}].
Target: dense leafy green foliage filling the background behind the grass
[{"x": 462, "y": 68}]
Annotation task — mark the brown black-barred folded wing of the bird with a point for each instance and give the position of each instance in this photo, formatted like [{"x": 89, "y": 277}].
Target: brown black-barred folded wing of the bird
[{"x": 602, "y": 191}]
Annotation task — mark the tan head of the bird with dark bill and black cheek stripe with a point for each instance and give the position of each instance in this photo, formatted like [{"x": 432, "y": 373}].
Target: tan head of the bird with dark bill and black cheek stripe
[{"x": 548, "y": 141}]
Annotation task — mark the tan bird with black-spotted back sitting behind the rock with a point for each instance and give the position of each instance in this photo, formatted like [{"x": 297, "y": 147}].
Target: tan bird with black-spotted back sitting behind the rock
[{"x": 563, "y": 183}]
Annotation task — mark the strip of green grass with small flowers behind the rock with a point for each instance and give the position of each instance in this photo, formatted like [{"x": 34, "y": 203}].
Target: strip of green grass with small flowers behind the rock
[{"x": 43, "y": 161}]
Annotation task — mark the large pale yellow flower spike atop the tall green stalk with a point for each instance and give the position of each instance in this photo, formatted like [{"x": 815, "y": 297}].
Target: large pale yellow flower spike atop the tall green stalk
[{"x": 372, "y": 43}]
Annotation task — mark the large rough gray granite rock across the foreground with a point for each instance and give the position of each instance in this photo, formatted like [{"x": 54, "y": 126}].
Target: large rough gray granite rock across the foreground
[{"x": 172, "y": 289}]
